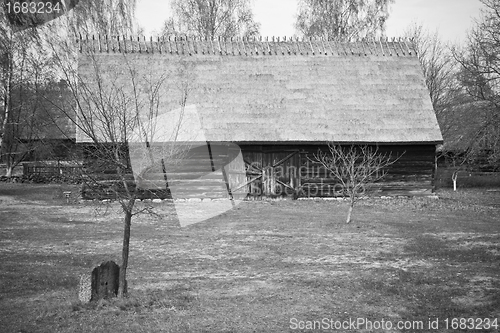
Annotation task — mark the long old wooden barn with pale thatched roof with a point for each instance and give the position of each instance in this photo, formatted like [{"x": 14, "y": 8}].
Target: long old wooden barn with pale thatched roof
[{"x": 282, "y": 100}]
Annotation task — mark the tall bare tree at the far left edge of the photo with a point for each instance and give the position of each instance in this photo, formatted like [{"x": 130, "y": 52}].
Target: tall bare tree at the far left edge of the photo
[{"x": 22, "y": 70}]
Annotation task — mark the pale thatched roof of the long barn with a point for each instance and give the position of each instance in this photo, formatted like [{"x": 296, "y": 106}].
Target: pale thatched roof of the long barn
[{"x": 294, "y": 91}]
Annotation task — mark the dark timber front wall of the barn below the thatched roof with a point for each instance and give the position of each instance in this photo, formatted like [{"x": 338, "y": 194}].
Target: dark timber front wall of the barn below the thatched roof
[{"x": 284, "y": 170}]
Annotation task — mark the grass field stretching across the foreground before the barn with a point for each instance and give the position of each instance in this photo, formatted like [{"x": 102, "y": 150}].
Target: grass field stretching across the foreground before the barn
[{"x": 281, "y": 266}]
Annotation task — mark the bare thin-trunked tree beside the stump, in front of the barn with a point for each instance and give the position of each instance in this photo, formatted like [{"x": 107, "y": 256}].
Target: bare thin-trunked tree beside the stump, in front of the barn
[{"x": 115, "y": 112}]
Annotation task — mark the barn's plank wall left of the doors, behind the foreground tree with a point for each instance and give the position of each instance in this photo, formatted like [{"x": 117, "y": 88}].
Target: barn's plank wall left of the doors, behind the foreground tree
[{"x": 192, "y": 174}]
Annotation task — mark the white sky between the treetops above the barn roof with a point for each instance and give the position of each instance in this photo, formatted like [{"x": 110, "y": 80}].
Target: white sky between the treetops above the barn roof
[{"x": 452, "y": 18}]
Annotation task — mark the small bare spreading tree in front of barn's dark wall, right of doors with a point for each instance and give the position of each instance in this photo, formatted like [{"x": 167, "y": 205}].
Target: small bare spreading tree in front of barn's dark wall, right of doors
[{"x": 355, "y": 167}]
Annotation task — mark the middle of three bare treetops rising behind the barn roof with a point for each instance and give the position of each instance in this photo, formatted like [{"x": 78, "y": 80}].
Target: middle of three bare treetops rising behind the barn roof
[{"x": 212, "y": 18}]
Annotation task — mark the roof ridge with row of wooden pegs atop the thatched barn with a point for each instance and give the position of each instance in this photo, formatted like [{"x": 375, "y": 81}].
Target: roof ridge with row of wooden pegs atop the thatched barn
[{"x": 246, "y": 46}]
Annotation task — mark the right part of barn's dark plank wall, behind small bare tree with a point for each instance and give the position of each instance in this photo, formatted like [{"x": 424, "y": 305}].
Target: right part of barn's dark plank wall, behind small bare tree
[{"x": 412, "y": 174}]
